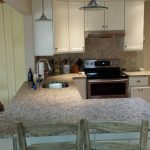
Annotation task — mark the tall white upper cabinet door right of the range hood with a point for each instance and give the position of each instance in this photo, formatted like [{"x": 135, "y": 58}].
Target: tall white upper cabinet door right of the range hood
[{"x": 134, "y": 20}]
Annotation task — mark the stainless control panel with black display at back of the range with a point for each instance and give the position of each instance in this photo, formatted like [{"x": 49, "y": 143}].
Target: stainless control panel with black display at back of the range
[{"x": 97, "y": 63}]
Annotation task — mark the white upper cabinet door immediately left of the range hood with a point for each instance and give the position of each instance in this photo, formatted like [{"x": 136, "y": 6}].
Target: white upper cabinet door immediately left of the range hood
[{"x": 76, "y": 27}]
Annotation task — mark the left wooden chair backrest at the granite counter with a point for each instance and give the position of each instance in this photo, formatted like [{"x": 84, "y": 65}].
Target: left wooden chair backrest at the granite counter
[{"x": 51, "y": 129}]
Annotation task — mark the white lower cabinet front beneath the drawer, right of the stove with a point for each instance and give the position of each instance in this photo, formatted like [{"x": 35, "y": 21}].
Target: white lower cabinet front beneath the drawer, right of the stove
[{"x": 141, "y": 92}]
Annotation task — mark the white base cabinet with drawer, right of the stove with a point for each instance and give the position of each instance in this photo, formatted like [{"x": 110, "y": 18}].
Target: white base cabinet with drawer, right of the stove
[{"x": 138, "y": 86}]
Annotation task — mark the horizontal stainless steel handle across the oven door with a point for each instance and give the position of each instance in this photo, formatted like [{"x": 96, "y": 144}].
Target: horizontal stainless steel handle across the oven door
[{"x": 107, "y": 80}]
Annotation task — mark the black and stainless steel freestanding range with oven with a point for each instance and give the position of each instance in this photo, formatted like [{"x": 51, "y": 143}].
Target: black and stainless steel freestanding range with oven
[{"x": 105, "y": 79}]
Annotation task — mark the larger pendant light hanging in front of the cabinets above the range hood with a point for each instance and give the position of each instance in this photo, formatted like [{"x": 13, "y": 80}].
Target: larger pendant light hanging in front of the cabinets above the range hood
[{"x": 92, "y": 5}]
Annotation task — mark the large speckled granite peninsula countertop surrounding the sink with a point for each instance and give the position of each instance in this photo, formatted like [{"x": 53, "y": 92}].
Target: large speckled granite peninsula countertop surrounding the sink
[{"x": 65, "y": 105}]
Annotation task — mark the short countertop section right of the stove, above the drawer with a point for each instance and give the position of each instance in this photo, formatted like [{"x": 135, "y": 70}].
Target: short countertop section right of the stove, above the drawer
[{"x": 137, "y": 73}]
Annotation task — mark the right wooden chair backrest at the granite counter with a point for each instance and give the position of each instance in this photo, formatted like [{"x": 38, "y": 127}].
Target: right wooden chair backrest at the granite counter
[{"x": 115, "y": 127}]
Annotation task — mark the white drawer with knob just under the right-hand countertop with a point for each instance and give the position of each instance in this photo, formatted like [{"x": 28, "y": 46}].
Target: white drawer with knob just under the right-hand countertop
[{"x": 138, "y": 81}]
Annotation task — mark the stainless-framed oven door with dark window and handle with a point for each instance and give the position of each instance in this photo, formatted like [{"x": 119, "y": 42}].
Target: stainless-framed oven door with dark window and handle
[{"x": 107, "y": 88}]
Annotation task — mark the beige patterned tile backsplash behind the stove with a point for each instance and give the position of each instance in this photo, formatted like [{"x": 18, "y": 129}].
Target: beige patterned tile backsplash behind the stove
[{"x": 105, "y": 48}]
